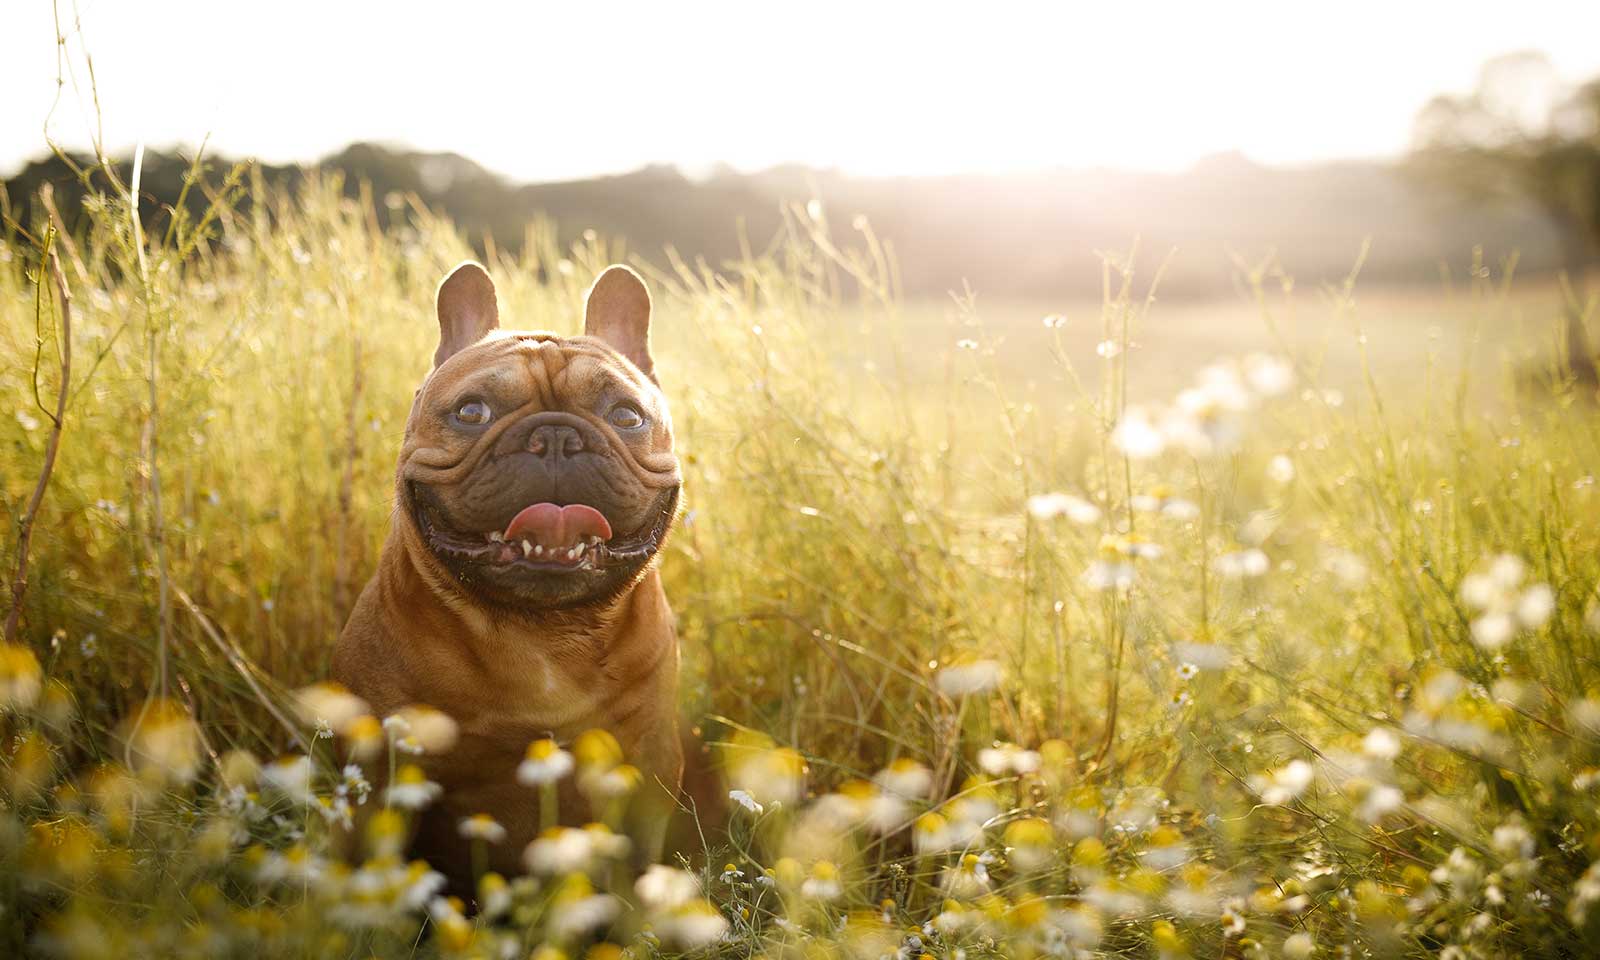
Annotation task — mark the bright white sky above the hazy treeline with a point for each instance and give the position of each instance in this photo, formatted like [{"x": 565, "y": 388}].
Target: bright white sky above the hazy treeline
[{"x": 550, "y": 92}]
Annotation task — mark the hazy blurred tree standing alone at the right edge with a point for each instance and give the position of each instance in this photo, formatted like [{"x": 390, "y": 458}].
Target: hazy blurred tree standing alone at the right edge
[{"x": 1526, "y": 134}]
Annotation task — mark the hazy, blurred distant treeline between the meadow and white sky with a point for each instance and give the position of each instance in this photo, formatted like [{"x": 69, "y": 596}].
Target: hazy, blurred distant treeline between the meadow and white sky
[{"x": 1006, "y": 236}]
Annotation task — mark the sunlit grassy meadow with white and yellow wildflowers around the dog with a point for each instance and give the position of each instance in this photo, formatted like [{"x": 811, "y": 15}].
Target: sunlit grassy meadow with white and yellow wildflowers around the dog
[{"x": 1262, "y": 628}]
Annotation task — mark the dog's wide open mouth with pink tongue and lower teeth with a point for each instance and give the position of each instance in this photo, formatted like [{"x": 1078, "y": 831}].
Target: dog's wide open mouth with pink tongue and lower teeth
[{"x": 546, "y": 537}]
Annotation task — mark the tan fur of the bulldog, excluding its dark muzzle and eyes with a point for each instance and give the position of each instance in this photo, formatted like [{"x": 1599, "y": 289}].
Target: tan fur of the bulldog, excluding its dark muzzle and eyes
[{"x": 510, "y": 678}]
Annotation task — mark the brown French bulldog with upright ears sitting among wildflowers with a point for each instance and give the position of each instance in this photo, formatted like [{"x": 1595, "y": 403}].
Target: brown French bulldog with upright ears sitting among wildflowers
[{"x": 518, "y": 590}]
